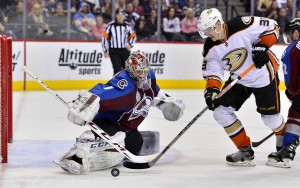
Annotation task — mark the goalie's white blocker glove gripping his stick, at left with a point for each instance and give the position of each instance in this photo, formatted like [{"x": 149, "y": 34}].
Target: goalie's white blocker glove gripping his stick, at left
[{"x": 84, "y": 108}]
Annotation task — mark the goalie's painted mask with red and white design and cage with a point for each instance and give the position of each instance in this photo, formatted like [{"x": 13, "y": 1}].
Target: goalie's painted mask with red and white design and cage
[{"x": 138, "y": 66}]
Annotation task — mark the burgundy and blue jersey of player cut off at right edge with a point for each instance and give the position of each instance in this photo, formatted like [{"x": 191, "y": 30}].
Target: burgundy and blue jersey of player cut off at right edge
[{"x": 291, "y": 68}]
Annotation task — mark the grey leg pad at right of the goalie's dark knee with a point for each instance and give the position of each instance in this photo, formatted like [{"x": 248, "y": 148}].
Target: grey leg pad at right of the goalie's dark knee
[{"x": 151, "y": 143}]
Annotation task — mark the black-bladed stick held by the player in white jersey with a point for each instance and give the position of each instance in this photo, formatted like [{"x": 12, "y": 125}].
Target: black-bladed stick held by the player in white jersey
[{"x": 132, "y": 165}]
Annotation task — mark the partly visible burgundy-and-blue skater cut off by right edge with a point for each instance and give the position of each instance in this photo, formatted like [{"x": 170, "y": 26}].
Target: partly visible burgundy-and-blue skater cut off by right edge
[{"x": 291, "y": 67}]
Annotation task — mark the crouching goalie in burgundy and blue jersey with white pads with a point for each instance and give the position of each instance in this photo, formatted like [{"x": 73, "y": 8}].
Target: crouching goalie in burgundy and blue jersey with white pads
[{"x": 118, "y": 107}]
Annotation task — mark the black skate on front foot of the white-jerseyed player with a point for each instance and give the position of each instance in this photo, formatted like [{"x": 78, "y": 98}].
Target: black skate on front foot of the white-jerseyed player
[{"x": 244, "y": 157}]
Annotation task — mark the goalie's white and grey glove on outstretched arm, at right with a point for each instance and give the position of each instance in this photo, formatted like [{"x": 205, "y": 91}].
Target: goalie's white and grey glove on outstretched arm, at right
[{"x": 171, "y": 107}]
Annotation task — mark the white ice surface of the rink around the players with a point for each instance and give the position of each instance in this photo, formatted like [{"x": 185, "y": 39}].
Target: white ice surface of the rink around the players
[{"x": 42, "y": 133}]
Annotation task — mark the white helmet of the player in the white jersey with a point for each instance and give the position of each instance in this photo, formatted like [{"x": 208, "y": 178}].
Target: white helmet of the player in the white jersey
[{"x": 208, "y": 20}]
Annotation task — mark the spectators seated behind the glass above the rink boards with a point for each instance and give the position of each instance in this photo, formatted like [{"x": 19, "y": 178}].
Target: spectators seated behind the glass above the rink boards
[{"x": 48, "y": 20}]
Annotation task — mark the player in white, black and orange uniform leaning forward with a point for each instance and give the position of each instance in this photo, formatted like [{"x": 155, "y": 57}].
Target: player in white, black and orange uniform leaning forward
[{"x": 234, "y": 46}]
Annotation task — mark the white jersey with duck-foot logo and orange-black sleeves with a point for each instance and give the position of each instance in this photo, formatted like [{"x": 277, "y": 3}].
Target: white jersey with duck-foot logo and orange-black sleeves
[{"x": 235, "y": 54}]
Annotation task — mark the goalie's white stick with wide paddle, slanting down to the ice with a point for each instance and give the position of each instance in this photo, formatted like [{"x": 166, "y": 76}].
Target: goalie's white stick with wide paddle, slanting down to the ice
[{"x": 96, "y": 129}]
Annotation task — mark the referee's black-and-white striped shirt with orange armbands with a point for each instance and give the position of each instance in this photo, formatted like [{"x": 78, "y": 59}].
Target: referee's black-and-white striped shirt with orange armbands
[{"x": 117, "y": 36}]
